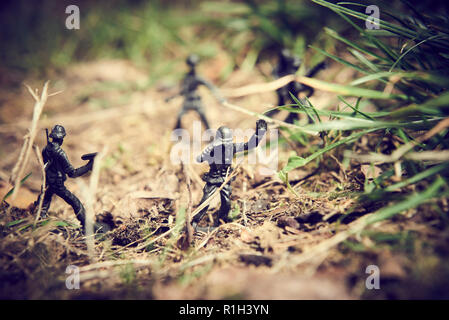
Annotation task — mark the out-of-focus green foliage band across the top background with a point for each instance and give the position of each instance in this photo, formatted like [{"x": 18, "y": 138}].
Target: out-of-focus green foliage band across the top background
[{"x": 155, "y": 35}]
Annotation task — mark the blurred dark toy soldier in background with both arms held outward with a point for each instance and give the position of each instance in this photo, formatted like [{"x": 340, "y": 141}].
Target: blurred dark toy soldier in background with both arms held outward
[{"x": 192, "y": 100}]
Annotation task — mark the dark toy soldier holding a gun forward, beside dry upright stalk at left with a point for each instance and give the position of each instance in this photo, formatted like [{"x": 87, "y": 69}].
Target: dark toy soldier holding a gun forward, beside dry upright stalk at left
[{"x": 57, "y": 168}]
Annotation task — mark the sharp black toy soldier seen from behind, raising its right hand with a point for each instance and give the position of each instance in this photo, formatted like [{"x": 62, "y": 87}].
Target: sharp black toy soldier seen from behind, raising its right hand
[{"x": 219, "y": 155}]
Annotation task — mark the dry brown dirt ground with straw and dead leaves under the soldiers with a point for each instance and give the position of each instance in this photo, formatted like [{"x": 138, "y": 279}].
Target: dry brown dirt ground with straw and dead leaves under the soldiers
[{"x": 280, "y": 246}]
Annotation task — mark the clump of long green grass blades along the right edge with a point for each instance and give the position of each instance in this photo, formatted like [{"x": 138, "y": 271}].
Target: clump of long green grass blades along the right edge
[{"x": 403, "y": 69}]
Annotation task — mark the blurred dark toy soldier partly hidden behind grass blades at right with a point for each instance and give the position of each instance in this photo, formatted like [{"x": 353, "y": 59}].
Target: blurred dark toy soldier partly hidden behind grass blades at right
[{"x": 288, "y": 64}]
